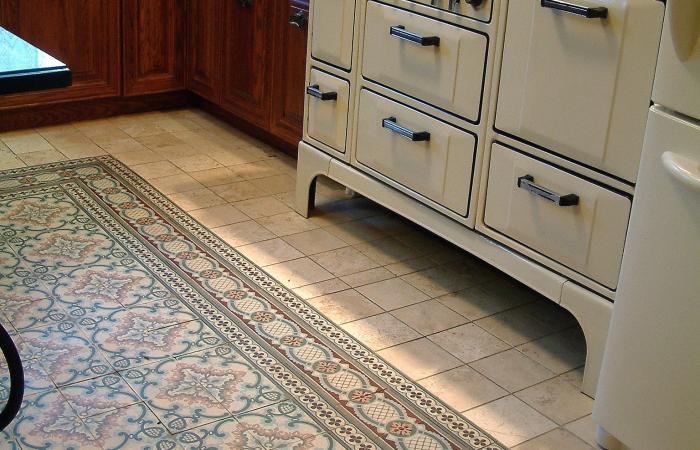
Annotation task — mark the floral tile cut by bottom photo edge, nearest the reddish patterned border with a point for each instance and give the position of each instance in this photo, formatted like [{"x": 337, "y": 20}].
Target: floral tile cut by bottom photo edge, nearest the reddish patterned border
[{"x": 283, "y": 426}]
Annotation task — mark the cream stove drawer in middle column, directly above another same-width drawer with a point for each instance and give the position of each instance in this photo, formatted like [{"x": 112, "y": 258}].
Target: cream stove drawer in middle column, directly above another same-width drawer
[{"x": 446, "y": 69}]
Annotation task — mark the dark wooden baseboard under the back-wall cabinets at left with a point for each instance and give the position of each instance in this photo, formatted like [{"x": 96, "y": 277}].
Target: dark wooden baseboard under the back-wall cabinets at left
[{"x": 34, "y": 116}]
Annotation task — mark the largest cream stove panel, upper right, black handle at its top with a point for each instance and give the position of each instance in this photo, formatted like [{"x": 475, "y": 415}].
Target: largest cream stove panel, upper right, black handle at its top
[{"x": 579, "y": 86}]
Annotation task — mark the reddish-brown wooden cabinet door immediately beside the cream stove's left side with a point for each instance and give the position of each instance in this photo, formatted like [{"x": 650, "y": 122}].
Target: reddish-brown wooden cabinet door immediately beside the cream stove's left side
[{"x": 289, "y": 64}]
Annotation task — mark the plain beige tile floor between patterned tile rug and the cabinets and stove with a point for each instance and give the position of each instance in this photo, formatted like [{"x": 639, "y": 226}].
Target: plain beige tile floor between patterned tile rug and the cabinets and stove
[{"x": 510, "y": 360}]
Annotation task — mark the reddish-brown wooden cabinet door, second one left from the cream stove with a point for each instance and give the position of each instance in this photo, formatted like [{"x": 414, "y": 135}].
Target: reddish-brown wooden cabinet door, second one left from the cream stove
[{"x": 247, "y": 32}]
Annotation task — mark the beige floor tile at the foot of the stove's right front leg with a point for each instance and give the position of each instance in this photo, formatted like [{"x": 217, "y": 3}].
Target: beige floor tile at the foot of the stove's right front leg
[{"x": 558, "y": 400}]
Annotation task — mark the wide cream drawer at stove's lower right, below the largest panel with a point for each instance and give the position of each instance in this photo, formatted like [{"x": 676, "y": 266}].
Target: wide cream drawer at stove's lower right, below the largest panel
[{"x": 587, "y": 236}]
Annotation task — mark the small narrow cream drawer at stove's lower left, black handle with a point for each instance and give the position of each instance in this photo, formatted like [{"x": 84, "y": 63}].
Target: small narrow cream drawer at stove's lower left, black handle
[{"x": 327, "y": 106}]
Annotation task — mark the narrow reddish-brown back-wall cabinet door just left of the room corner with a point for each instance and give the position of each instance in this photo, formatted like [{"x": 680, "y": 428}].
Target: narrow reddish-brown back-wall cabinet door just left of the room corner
[{"x": 153, "y": 46}]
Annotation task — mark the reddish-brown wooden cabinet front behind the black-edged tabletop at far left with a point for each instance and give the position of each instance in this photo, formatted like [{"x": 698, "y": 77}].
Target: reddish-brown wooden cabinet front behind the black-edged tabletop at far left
[{"x": 82, "y": 33}]
